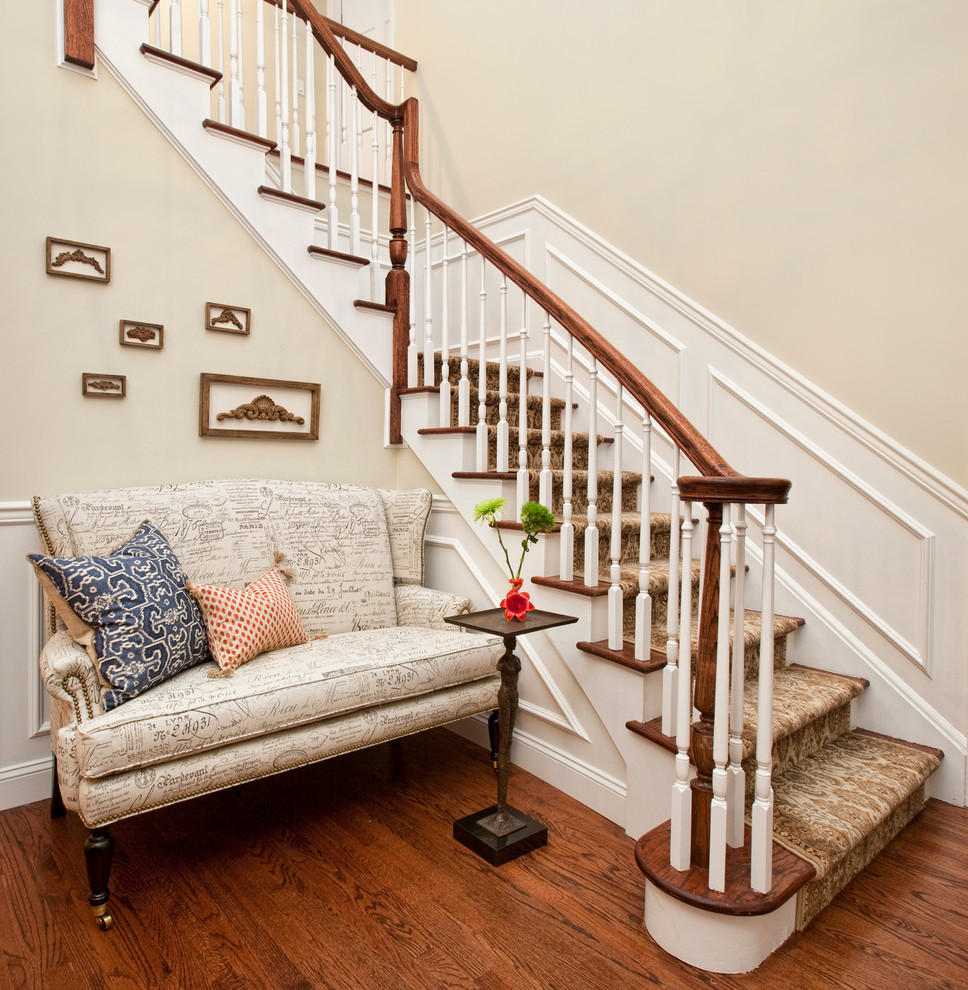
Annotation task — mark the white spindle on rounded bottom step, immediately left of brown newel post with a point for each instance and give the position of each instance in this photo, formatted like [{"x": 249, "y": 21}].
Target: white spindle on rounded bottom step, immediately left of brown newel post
[{"x": 681, "y": 818}]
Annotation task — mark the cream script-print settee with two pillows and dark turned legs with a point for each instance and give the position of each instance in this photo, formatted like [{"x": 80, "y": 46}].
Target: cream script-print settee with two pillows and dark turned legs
[{"x": 152, "y": 699}]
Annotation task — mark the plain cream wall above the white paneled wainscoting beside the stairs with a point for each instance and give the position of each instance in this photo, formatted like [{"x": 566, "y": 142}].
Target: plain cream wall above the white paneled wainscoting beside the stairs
[{"x": 796, "y": 169}]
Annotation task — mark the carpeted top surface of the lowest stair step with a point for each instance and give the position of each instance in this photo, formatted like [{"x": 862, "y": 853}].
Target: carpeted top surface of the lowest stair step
[{"x": 829, "y": 801}]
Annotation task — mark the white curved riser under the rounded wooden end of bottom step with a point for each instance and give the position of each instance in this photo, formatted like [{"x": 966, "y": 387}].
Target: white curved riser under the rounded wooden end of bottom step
[{"x": 718, "y": 943}]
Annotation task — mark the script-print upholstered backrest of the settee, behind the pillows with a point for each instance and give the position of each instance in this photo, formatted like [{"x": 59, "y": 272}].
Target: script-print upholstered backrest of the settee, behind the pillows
[{"x": 335, "y": 537}]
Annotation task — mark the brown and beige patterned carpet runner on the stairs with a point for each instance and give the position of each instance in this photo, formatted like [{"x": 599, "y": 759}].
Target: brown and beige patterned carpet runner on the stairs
[{"x": 839, "y": 795}]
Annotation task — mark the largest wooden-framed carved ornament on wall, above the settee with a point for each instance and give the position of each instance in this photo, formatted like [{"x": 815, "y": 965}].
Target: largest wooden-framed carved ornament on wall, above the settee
[{"x": 257, "y": 408}]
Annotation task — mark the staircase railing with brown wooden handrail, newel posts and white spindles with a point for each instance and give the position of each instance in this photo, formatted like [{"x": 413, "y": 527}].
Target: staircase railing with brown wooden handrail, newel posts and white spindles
[{"x": 707, "y": 812}]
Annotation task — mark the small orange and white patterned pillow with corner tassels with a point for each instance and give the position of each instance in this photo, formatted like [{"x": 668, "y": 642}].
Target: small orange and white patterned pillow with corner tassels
[{"x": 243, "y": 624}]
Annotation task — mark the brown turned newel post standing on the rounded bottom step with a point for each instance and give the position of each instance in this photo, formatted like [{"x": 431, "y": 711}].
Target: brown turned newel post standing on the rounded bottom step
[{"x": 704, "y": 697}]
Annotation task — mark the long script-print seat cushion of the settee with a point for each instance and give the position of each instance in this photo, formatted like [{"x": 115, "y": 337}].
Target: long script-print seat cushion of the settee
[{"x": 282, "y": 688}]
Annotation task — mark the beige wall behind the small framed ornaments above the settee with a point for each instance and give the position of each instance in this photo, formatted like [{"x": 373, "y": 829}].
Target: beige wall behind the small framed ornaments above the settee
[{"x": 83, "y": 163}]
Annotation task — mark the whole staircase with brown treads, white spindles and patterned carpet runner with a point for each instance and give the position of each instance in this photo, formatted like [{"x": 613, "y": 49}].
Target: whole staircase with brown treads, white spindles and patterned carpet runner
[{"x": 826, "y": 796}]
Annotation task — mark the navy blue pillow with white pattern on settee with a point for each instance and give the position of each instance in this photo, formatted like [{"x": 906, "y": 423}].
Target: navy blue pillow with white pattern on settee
[{"x": 130, "y": 609}]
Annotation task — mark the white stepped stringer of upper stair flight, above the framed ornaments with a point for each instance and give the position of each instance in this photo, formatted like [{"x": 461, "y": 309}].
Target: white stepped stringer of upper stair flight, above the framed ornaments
[{"x": 177, "y": 103}]
